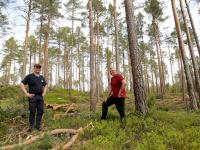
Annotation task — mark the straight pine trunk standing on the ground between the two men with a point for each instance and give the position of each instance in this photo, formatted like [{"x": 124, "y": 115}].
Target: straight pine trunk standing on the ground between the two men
[{"x": 92, "y": 66}]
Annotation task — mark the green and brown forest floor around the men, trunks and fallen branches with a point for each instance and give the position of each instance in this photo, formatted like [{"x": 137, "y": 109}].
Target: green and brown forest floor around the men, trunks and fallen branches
[{"x": 167, "y": 126}]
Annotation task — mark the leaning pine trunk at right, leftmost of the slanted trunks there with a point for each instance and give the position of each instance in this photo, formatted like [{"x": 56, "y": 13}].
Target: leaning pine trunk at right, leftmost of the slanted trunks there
[{"x": 190, "y": 86}]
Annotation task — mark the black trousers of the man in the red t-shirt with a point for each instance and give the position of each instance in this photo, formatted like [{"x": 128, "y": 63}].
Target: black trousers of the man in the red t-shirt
[{"x": 119, "y": 103}]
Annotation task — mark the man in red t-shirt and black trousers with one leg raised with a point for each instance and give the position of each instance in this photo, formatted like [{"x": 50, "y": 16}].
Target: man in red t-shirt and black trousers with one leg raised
[{"x": 117, "y": 95}]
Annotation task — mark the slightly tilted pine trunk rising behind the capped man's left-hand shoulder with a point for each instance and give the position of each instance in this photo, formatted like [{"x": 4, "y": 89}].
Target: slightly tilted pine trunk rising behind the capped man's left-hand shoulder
[{"x": 26, "y": 39}]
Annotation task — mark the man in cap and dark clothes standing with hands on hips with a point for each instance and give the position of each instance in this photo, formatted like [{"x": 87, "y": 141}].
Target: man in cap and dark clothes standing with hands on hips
[{"x": 37, "y": 90}]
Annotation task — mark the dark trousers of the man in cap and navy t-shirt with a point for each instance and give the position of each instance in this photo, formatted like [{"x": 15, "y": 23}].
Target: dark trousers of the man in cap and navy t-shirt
[{"x": 36, "y": 105}]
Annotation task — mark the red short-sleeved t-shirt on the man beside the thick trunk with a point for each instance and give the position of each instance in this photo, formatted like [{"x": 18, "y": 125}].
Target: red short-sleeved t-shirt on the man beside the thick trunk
[{"x": 116, "y": 83}]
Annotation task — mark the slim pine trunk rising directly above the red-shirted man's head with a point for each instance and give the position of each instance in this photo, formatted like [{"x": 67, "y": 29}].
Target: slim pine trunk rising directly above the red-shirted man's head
[{"x": 116, "y": 37}]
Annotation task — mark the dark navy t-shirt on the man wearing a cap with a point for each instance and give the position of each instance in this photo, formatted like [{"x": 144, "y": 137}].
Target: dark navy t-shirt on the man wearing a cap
[{"x": 36, "y": 83}]
